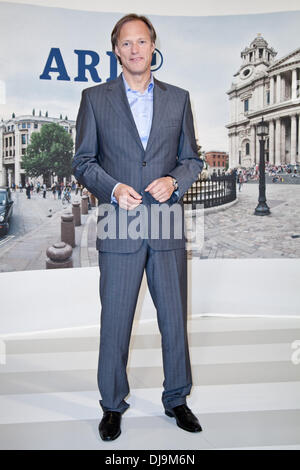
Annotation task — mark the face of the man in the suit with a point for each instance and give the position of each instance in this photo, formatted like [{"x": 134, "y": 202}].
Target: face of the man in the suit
[{"x": 134, "y": 47}]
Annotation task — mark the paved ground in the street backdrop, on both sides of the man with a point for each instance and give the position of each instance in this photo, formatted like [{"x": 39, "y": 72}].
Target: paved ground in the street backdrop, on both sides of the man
[{"x": 232, "y": 233}]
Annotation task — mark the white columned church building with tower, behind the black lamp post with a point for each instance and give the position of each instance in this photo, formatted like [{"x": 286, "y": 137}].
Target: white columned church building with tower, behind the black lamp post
[{"x": 268, "y": 88}]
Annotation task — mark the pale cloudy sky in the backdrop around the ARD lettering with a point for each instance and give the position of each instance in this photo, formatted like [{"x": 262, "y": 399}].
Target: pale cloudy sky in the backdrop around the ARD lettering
[{"x": 201, "y": 54}]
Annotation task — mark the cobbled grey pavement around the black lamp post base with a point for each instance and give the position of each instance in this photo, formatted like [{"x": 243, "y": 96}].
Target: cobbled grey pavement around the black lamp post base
[{"x": 238, "y": 233}]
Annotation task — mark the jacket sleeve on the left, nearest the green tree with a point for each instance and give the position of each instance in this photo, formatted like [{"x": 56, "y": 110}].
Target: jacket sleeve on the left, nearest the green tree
[{"x": 85, "y": 164}]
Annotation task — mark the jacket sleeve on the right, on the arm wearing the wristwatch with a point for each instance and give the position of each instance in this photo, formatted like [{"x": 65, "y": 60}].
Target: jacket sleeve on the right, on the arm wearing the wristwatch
[{"x": 189, "y": 165}]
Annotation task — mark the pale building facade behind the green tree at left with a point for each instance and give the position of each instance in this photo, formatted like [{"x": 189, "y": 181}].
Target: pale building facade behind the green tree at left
[{"x": 15, "y": 134}]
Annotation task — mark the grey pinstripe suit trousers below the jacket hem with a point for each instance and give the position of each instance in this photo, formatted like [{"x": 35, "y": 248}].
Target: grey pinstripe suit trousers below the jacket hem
[{"x": 120, "y": 280}]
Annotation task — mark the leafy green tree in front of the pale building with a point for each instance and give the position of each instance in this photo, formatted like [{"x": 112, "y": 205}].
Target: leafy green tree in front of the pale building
[{"x": 49, "y": 151}]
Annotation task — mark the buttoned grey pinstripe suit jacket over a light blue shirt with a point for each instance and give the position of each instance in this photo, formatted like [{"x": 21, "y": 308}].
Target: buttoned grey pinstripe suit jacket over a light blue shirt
[{"x": 109, "y": 150}]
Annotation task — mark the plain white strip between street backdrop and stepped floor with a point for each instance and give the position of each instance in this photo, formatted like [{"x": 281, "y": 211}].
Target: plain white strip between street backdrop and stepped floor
[{"x": 66, "y": 298}]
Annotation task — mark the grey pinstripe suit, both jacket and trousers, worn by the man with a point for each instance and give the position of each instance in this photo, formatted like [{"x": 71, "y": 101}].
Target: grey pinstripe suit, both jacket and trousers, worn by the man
[{"x": 109, "y": 150}]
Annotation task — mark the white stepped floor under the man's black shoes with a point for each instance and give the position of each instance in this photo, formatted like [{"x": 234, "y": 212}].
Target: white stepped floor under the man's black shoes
[{"x": 246, "y": 390}]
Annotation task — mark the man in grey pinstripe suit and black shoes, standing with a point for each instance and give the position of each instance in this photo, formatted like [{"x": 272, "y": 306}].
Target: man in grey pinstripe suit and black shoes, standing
[{"x": 136, "y": 151}]
